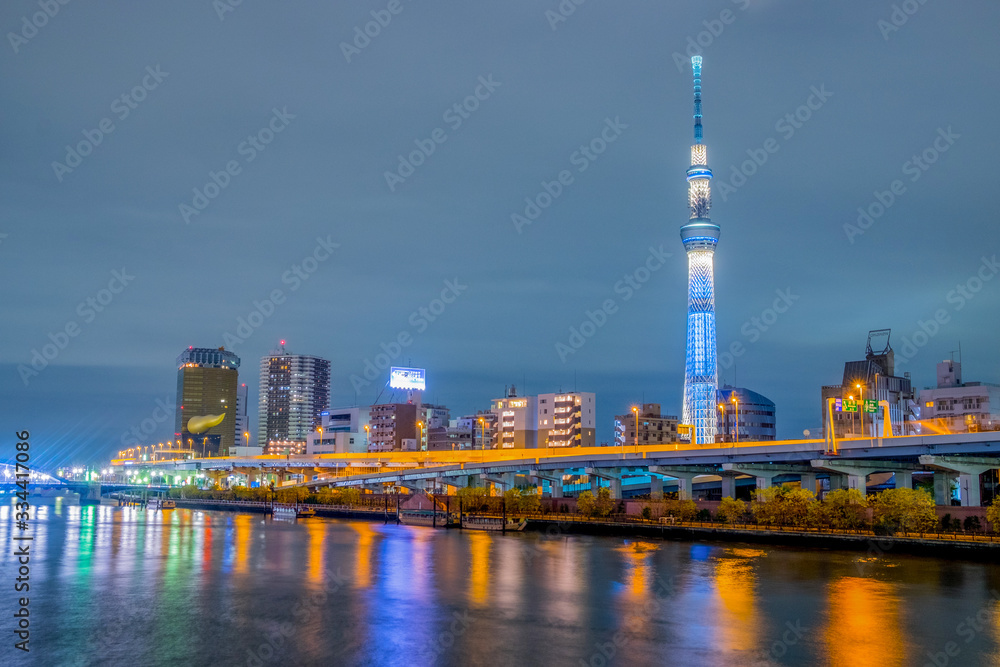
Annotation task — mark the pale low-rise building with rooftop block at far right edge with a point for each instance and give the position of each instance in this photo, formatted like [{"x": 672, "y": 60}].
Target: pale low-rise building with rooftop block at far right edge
[{"x": 955, "y": 406}]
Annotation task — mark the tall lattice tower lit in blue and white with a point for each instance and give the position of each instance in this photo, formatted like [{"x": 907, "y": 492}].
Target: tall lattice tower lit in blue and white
[{"x": 700, "y": 236}]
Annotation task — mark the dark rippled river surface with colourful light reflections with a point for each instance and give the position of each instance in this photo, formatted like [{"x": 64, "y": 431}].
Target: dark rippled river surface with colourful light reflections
[{"x": 122, "y": 586}]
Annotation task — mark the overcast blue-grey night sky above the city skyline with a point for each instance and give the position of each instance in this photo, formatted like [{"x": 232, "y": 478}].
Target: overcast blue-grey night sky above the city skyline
[{"x": 286, "y": 121}]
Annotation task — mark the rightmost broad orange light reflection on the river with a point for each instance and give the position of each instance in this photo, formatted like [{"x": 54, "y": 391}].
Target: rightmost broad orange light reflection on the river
[{"x": 863, "y": 622}]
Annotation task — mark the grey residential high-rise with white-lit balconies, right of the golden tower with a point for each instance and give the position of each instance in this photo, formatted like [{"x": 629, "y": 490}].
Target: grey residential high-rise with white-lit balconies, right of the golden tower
[{"x": 294, "y": 390}]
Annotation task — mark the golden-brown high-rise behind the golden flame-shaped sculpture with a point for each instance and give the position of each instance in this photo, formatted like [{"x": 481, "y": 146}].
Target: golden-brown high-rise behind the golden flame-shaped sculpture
[{"x": 206, "y": 389}]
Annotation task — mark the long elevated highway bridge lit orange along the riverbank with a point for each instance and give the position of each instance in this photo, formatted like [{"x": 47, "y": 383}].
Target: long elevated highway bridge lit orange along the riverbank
[{"x": 717, "y": 469}]
